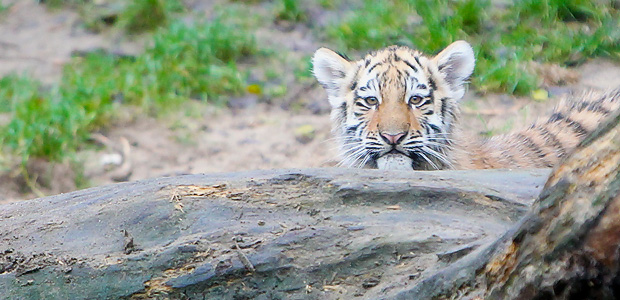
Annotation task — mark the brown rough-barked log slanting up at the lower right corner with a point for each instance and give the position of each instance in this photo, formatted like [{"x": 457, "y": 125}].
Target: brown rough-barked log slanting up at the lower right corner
[{"x": 566, "y": 247}]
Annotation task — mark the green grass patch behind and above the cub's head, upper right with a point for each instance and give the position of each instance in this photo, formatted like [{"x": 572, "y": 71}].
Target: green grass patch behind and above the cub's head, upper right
[{"x": 505, "y": 40}]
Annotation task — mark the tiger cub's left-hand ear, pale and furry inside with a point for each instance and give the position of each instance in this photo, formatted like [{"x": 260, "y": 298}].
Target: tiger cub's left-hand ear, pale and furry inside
[{"x": 330, "y": 69}]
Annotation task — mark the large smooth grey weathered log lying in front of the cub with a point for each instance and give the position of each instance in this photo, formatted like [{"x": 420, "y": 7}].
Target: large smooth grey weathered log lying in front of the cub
[{"x": 285, "y": 234}]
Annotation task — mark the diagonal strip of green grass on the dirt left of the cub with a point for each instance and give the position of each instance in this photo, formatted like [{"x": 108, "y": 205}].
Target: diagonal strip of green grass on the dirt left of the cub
[{"x": 184, "y": 61}]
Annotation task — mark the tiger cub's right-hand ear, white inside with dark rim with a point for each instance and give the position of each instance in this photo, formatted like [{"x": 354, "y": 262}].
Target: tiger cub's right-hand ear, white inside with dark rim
[{"x": 456, "y": 63}]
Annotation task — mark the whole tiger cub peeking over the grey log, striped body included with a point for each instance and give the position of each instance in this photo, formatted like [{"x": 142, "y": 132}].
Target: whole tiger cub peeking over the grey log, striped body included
[{"x": 398, "y": 109}]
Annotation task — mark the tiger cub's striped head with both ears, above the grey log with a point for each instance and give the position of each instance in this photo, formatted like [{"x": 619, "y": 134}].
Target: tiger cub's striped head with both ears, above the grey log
[{"x": 396, "y": 107}]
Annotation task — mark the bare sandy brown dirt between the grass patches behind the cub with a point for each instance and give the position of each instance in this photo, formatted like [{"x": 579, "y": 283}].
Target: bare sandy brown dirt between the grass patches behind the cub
[{"x": 202, "y": 139}]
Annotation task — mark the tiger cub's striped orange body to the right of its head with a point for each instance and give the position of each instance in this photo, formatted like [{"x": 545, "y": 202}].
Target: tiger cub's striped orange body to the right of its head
[{"x": 546, "y": 141}]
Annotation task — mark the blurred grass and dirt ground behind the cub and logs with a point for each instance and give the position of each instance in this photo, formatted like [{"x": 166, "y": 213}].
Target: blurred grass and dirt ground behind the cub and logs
[{"x": 99, "y": 91}]
